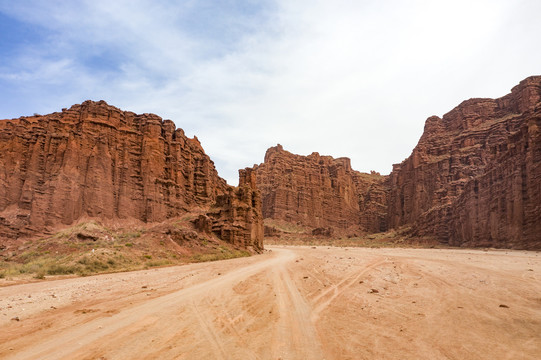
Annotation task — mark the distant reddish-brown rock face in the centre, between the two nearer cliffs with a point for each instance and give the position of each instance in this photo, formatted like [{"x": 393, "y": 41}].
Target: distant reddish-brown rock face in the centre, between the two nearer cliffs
[{"x": 320, "y": 192}]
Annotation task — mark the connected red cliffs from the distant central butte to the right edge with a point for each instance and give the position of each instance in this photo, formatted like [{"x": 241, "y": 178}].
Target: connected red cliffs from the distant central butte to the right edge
[{"x": 474, "y": 179}]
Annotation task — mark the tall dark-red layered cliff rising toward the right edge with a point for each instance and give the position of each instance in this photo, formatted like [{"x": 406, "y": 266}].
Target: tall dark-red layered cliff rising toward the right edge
[{"x": 474, "y": 178}]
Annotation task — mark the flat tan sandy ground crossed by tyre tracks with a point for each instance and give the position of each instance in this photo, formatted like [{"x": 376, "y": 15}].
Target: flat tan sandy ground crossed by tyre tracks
[{"x": 289, "y": 303}]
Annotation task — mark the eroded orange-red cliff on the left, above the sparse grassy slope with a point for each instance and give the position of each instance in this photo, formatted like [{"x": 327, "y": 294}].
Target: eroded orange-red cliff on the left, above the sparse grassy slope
[{"x": 96, "y": 161}]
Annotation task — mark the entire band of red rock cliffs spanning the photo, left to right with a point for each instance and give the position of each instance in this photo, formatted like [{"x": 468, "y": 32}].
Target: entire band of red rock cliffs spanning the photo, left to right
[{"x": 474, "y": 178}]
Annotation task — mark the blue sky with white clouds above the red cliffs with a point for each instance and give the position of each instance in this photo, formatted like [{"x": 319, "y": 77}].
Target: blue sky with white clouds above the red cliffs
[{"x": 344, "y": 78}]
